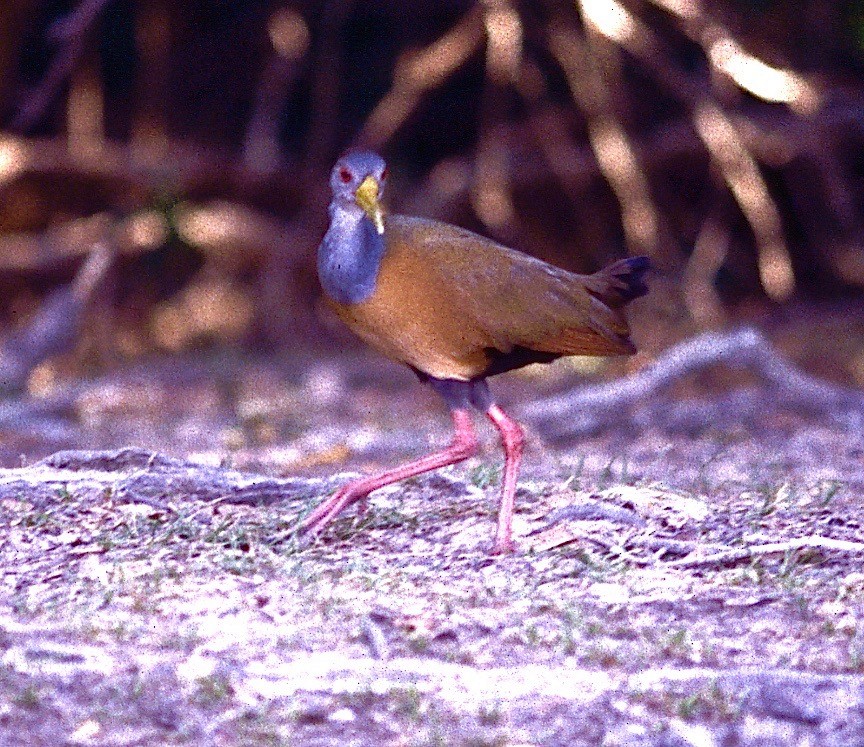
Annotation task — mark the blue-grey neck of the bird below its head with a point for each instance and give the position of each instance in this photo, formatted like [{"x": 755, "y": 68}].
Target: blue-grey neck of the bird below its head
[{"x": 349, "y": 256}]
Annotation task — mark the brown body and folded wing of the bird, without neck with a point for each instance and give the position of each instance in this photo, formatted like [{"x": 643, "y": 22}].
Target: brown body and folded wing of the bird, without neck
[{"x": 454, "y": 304}]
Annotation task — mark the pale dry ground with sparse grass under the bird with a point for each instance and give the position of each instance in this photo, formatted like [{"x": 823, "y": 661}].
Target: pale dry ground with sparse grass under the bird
[{"x": 646, "y": 604}]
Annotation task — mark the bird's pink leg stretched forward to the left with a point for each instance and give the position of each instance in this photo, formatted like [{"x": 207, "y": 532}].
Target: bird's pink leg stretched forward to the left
[{"x": 463, "y": 446}]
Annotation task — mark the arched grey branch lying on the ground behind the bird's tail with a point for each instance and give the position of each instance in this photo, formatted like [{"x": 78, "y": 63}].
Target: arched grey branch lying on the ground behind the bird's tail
[{"x": 592, "y": 408}]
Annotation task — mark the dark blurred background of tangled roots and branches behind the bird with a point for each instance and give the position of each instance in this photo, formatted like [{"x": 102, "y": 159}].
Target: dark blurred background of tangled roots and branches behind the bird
[{"x": 164, "y": 165}]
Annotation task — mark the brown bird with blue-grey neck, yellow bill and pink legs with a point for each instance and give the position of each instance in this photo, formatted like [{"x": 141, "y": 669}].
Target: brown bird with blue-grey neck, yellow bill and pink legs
[{"x": 457, "y": 308}]
